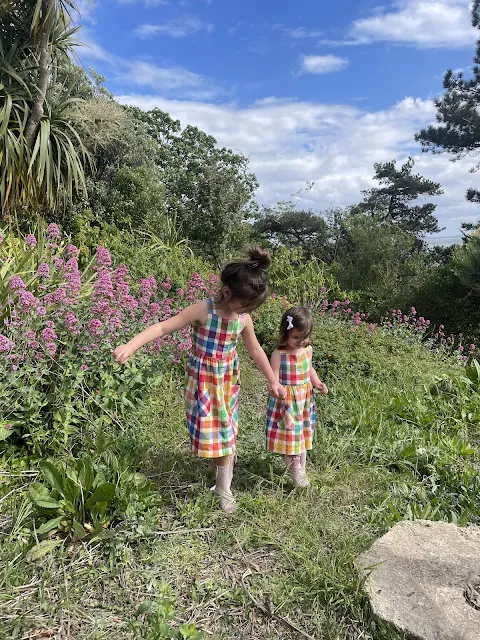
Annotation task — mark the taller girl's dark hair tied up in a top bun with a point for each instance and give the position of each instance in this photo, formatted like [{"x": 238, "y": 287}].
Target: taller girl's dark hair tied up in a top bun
[{"x": 247, "y": 279}]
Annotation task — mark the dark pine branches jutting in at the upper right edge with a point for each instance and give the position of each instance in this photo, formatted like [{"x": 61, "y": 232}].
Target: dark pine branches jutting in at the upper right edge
[{"x": 458, "y": 113}]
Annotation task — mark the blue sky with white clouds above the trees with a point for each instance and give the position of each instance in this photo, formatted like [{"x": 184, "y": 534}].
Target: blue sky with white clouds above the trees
[{"x": 310, "y": 90}]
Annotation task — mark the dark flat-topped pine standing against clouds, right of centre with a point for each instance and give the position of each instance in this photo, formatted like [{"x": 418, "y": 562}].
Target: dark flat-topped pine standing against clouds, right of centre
[{"x": 392, "y": 201}]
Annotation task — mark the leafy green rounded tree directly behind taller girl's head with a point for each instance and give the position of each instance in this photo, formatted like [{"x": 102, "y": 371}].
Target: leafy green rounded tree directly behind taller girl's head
[{"x": 208, "y": 190}]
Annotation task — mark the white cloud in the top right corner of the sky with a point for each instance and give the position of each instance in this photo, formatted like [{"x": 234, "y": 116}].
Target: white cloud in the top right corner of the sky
[{"x": 420, "y": 23}]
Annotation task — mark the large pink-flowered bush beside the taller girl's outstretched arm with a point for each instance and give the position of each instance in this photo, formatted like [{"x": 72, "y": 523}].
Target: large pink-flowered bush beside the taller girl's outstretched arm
[{"x": 57, "y": 374}]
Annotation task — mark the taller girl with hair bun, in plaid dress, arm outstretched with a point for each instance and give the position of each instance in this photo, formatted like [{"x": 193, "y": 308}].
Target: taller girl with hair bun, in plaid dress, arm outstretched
[{"x": 213, "y": 372}]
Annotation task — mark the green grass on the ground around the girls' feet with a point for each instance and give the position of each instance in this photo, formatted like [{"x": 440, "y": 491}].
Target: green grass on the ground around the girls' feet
[{"x": 385, "y": 448}]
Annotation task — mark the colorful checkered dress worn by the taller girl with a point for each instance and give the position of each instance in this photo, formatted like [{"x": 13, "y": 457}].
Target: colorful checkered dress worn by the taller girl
[{"x": 213, "y": 385}]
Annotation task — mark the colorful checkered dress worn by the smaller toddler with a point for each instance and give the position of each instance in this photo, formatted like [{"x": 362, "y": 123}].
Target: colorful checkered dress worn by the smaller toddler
[{"x": 291, "y": 421}]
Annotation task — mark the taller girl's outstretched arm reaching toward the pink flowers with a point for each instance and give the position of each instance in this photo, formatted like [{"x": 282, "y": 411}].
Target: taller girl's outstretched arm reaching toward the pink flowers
[{"x": 196, "y": 313}]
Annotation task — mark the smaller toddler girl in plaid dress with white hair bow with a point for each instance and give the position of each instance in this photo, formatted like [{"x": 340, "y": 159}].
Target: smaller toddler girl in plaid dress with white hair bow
[{"x": 291, "y": 421}]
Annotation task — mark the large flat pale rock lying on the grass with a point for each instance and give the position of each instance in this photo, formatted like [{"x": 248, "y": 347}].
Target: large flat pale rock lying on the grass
[{"x": 424, "y": 578}]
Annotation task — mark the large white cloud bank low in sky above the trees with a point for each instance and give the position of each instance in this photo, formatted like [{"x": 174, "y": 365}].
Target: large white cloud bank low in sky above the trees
[{"x": 335, "y": 146}]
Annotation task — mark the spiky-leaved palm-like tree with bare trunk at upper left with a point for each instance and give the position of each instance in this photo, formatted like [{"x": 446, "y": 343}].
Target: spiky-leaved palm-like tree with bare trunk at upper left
[{"x": 42, "y": 155}]
